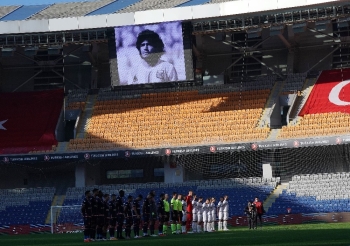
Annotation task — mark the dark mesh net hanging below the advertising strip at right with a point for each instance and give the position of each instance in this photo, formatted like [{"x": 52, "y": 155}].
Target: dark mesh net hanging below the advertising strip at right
[{"x": 284, "y": 162}]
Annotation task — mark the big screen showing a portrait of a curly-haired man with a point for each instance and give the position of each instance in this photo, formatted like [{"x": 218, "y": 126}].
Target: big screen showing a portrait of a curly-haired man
[{"x": 150, "y": 53}]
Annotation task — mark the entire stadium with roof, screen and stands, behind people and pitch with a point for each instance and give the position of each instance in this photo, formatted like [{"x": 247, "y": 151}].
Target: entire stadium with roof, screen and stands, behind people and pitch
[{"x": 221, "y": 98}]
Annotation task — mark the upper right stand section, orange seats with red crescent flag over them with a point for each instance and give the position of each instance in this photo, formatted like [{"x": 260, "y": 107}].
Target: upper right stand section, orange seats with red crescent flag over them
[{"x": 320, "y": 116}]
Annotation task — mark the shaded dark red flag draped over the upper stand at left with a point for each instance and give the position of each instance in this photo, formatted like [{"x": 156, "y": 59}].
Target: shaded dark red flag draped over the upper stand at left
[{"x": 28, "y": 120}]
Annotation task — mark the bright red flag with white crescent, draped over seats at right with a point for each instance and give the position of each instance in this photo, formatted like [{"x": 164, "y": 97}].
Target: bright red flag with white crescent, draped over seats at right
[{"x": 331, "y": 93}]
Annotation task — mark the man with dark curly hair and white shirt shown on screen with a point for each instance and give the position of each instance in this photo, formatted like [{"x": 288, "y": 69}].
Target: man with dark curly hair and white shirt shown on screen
[{"x": 152, "y": 69}]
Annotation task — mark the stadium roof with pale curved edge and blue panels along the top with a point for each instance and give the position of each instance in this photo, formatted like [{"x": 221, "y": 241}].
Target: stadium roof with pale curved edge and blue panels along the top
[{"x": 79, "y": 15}]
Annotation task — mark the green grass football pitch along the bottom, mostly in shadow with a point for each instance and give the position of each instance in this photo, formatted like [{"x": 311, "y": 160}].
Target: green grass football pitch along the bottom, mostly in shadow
[{"x": 291, "y": 235}]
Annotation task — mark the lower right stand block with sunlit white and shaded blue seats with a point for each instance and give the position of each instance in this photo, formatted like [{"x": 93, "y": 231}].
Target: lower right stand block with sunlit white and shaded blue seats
[{"x": 314, "y": 193}]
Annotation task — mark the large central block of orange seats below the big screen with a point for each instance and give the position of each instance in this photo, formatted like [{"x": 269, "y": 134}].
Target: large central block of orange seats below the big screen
[{"x": 175, "y": 118}]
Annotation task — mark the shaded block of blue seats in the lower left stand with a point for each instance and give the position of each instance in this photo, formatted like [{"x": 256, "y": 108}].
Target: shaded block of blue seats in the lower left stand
[{"x": 25, "y": 206}]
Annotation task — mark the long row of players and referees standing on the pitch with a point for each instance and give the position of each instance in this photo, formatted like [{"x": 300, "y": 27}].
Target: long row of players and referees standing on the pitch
[{"x": 103, "y": 213}]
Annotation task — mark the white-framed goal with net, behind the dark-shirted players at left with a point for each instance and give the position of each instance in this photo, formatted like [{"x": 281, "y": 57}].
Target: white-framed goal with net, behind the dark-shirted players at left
[{"x": 66, "y": 219}]
